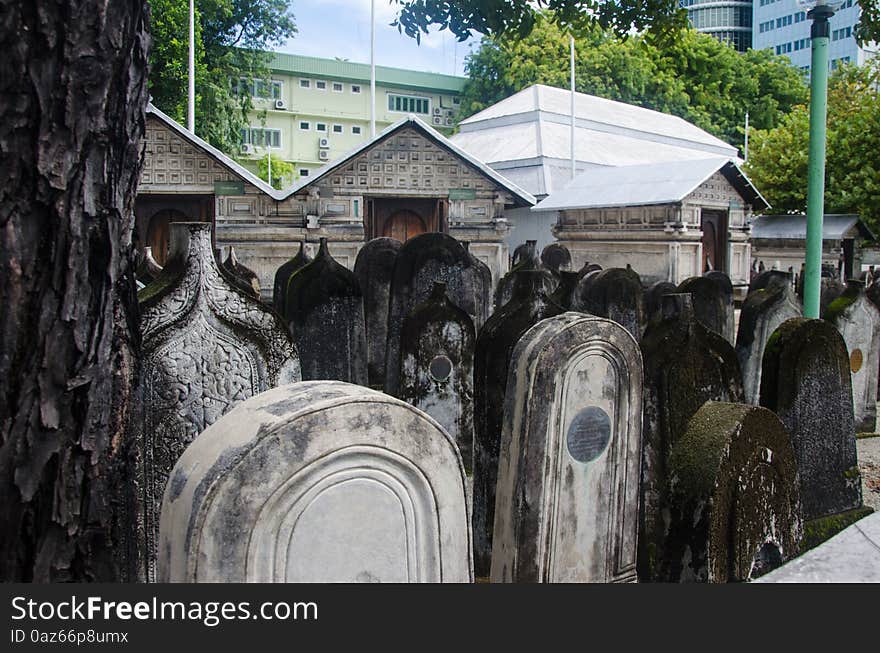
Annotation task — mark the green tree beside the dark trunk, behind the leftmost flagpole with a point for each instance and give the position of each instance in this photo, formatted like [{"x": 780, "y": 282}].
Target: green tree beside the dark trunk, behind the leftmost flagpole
[{"x": 232, "y": 37}]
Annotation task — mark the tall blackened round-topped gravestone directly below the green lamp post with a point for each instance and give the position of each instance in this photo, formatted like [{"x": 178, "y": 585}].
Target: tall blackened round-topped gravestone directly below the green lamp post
[{"x": 806, "y": 381}]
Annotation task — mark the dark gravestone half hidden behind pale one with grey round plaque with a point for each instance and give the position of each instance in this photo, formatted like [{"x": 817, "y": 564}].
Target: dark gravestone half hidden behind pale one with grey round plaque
[{"x": 495, "y": 343}]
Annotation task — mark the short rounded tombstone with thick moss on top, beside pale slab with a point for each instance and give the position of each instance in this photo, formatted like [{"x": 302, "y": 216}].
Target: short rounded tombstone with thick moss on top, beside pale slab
[{"x": 734, "y": 507}]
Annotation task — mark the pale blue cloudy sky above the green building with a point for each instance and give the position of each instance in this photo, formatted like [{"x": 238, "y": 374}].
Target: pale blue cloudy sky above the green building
[{"x": 341, "y": 28}]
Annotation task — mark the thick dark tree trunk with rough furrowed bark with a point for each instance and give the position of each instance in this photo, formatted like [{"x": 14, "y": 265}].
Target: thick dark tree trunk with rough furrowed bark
[{"x": 73, "y": 89}]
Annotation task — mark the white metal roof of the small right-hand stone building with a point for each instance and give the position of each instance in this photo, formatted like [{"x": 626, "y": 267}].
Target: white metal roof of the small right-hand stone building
[{"x": 654, "y": 183}]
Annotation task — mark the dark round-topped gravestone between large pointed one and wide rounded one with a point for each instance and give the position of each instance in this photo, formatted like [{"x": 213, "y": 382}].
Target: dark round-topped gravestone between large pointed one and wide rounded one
[{"x": 373, "y": 268}]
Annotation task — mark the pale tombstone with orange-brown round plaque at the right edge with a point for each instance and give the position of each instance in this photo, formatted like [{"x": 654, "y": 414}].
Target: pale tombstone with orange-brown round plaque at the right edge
[{"x": 858, "y": 321}]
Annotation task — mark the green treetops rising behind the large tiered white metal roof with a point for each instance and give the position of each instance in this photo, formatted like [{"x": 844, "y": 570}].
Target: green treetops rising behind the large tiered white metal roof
[{"x": 690, "y": 75}]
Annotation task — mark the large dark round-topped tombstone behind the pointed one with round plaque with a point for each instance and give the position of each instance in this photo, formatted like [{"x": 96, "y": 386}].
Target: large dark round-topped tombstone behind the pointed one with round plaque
[{"x": 420, "y": 262}]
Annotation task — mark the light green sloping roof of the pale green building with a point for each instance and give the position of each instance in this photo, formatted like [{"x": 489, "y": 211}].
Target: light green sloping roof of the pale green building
[{"x": 296, "y": 64}]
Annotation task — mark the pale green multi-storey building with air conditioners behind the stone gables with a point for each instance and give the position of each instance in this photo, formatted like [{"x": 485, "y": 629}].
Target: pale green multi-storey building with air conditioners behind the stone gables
[{"x": 318, "y": 109}]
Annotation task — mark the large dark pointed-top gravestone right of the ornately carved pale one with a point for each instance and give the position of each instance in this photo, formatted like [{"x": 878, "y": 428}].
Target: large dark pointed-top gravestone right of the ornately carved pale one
[{"x": 324, "y": 310}]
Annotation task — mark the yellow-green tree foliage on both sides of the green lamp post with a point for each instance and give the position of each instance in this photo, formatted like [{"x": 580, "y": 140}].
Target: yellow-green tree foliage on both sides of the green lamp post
[{"x": 778, "y": 157}]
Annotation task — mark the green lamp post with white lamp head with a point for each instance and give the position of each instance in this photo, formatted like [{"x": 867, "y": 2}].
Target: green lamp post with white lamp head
[{"x": 819, "y": 11}]
